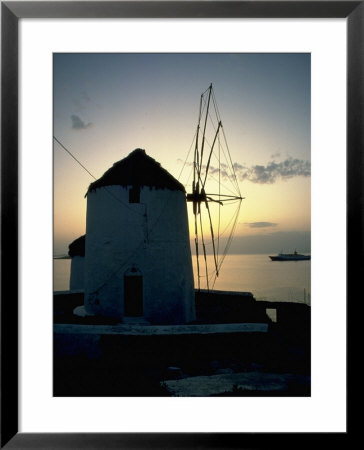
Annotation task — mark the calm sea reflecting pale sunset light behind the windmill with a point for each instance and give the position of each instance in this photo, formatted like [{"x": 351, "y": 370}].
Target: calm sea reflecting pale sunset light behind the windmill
[{"x": 267, "y": 280}]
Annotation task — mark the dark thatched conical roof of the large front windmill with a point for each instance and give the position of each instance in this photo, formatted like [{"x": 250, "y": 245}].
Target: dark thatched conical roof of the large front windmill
[{"x": 137, "y": 169}]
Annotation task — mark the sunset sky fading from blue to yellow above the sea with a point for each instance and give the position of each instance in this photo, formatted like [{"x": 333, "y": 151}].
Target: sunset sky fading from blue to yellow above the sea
[{"x": 106, "y": 105}]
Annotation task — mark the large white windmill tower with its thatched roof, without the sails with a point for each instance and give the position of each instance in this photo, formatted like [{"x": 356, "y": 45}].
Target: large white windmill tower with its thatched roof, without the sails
[{"x": 138, "y": 265}]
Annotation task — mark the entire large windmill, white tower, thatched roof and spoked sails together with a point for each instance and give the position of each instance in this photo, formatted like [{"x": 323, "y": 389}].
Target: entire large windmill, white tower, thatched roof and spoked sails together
[{"x": 137, "y": 209}]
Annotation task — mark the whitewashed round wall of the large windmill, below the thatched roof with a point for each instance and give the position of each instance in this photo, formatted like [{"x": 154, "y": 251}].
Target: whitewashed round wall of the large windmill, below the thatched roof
[{"x": 153, "y": 237}]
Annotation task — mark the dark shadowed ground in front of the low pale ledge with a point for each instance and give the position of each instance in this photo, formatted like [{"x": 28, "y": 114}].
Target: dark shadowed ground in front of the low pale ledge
[{"x": 144, "y": 365}]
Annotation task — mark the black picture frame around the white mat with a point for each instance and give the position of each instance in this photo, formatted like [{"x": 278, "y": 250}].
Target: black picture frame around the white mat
[{"x": 11, "y": 12}]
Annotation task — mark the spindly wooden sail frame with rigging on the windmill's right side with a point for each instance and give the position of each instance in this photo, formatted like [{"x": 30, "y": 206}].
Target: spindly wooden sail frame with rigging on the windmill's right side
[{"x": 201, "y": 197}]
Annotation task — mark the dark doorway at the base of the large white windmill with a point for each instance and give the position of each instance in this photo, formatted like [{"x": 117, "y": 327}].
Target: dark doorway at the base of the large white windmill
[{"x": 133, "y": 294}]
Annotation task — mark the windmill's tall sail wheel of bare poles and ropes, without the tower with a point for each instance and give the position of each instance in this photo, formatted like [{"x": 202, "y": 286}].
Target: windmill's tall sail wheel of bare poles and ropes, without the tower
[{"x": 215, "y": 193}]
